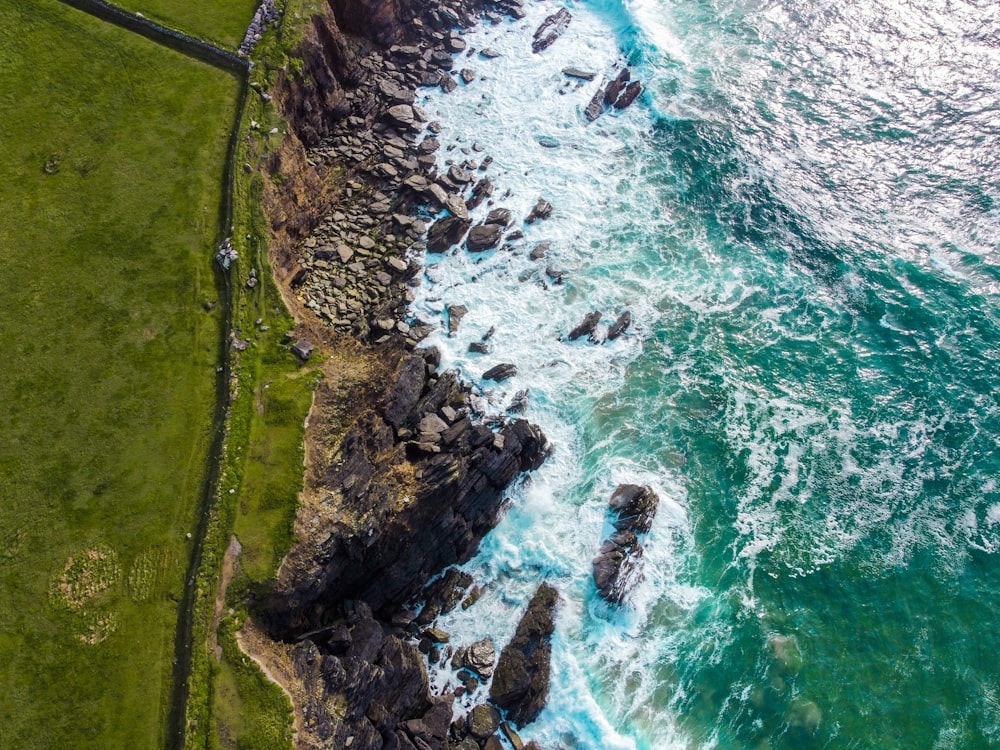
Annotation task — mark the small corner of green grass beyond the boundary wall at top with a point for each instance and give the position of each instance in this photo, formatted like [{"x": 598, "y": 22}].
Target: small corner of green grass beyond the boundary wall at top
[{"x": 223, "y": 22}]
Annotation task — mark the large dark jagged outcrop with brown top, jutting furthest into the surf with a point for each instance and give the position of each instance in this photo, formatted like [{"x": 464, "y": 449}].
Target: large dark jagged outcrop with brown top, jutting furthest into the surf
[{"x": 413, "y": 493}]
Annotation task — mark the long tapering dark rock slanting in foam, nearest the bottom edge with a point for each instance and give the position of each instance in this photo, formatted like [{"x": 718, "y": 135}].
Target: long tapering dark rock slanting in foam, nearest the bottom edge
[{"x": 521, "y": 682}]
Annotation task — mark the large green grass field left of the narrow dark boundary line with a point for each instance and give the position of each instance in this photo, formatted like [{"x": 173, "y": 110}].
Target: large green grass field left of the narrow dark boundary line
[{"x": 111, "y": 161}]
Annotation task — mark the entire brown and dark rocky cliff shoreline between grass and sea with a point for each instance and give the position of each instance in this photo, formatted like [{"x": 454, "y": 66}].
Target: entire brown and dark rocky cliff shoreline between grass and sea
[{"x": 404, "y": 475}]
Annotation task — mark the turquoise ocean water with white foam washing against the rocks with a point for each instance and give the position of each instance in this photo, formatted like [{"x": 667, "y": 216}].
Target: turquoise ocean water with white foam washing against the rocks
[{"x": 801, "y": 213}]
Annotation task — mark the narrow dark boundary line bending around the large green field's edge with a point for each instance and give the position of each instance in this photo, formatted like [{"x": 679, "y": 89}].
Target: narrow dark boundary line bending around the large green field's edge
[{"x": 239, "y": 67}]
